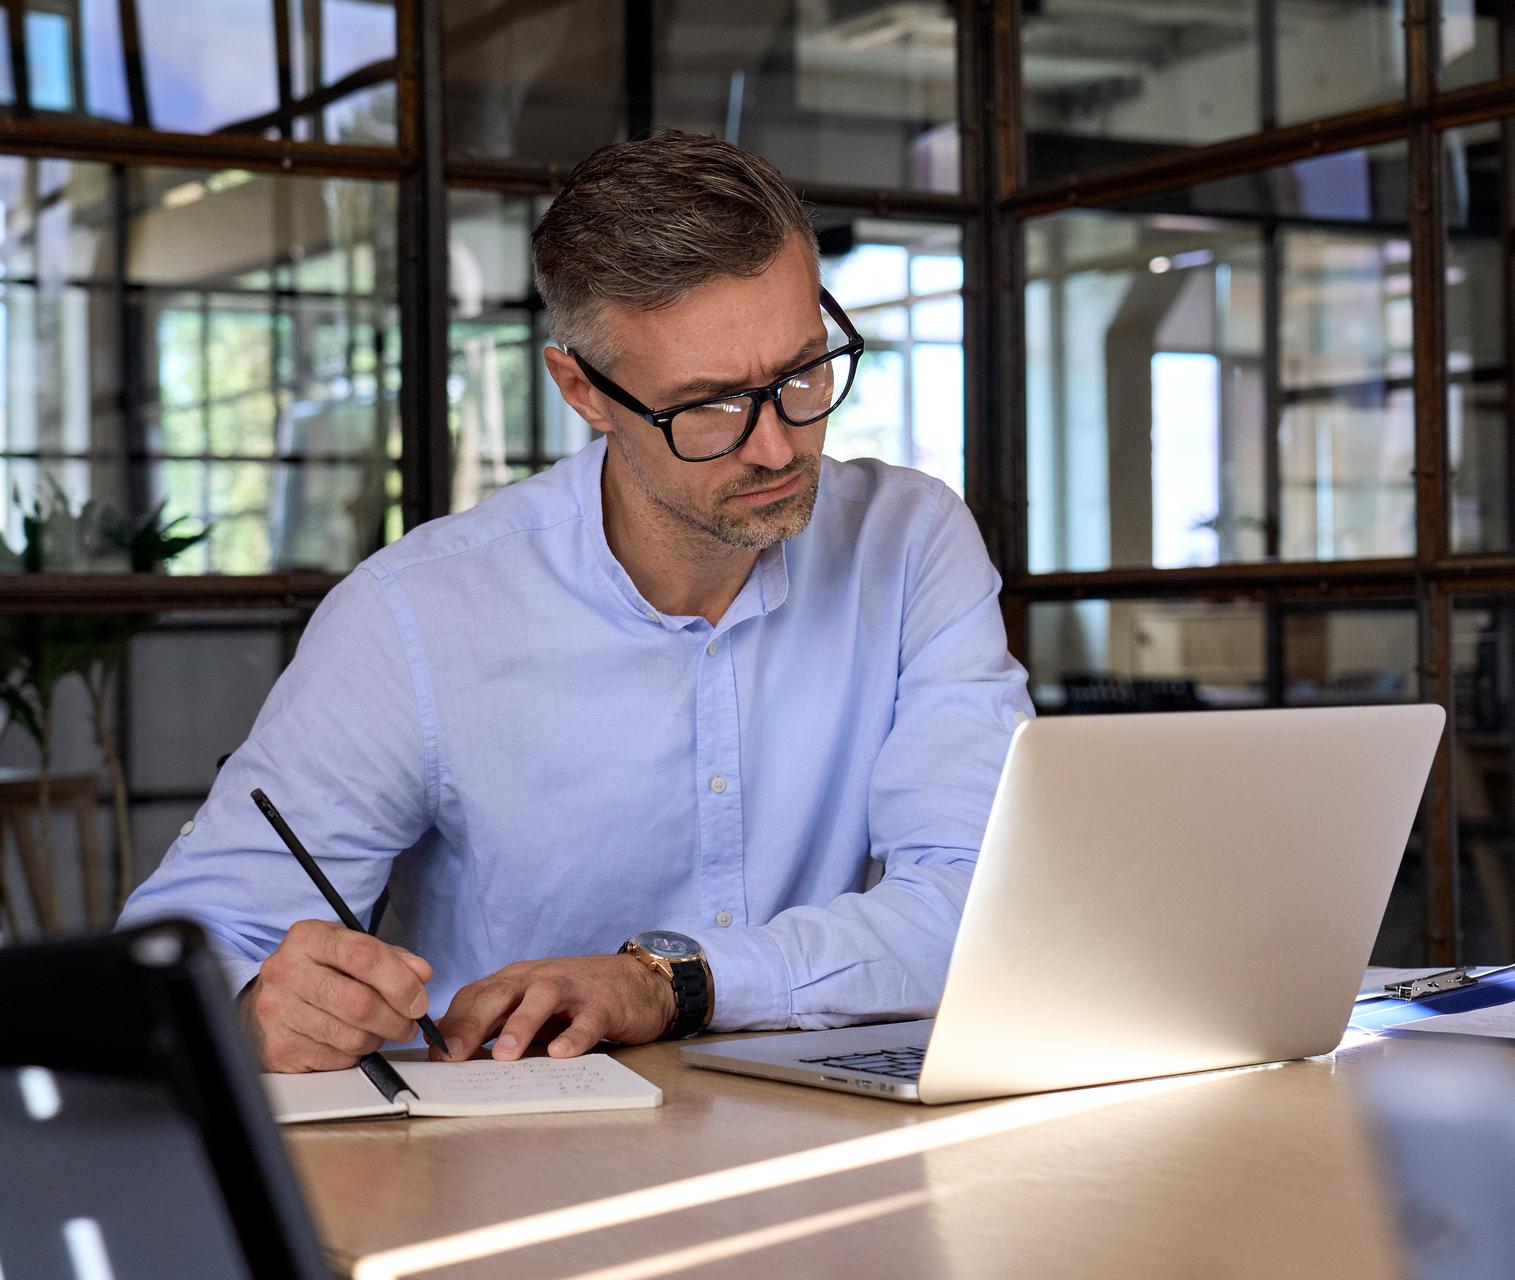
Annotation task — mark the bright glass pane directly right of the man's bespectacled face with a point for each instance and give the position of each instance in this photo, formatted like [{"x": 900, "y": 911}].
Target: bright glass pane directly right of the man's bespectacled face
[{"x": 902, "y": 286}]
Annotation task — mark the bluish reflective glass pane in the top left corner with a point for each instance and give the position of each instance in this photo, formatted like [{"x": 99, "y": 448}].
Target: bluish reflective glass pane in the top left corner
[{"x": 213, "y": 66}]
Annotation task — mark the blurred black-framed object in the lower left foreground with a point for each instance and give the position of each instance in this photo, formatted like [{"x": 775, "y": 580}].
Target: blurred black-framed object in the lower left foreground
[{"x": 136, "y": 1141}]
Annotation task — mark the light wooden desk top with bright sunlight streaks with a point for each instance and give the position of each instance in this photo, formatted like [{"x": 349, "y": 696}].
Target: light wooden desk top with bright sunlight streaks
[{"x": 1254, "y": 1173}]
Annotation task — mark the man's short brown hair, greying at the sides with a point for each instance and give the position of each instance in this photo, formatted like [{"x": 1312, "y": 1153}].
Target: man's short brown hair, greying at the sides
[{"x": 642, "y": 223}]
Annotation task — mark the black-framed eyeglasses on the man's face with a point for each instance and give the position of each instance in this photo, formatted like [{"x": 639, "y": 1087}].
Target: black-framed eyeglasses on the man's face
[{"x": 705, "y": 429}]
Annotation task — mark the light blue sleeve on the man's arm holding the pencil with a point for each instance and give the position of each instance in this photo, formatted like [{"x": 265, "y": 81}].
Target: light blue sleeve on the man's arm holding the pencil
[{"x": 343, "y": 748}]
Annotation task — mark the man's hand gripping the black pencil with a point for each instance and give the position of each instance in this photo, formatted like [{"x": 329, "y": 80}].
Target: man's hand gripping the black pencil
[{"x": 330, "y": 996}]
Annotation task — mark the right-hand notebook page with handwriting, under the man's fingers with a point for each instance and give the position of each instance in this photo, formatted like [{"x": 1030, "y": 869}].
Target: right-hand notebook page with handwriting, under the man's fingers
[{"x": 595, "y": 1082}]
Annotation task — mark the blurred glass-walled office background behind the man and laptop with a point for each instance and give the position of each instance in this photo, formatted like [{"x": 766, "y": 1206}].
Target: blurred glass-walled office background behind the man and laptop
[{"x": 1207, "y": 307}]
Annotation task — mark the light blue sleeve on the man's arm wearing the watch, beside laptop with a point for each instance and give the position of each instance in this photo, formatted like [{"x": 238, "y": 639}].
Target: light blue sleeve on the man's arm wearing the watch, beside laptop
[{"x": 882, "y": 955}]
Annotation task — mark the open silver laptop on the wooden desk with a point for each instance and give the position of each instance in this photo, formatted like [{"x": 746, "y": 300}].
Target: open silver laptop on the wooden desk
[{"x": 1155, "y": 894}]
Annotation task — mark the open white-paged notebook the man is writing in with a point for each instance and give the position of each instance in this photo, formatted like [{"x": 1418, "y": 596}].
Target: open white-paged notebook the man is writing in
[{"x": 381, "y": 1088}]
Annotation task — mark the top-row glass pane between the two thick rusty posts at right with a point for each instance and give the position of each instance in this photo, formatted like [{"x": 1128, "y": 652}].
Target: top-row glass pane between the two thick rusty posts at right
[{"x": 1116, "y": 83}]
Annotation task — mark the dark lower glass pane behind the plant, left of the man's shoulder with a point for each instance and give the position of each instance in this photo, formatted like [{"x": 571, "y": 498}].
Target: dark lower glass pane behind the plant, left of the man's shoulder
[{"x": 186, "y": 695}]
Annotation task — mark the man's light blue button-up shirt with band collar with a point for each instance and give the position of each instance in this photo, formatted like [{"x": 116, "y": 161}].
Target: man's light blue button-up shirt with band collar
[{"x": 492, "y": 719}]
